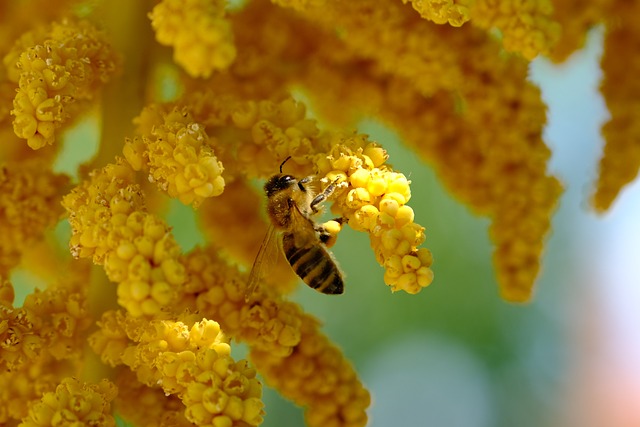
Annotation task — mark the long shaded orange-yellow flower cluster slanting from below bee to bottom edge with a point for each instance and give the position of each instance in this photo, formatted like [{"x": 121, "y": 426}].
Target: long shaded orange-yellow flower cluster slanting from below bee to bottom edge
[{"x": 280, "y": 337}]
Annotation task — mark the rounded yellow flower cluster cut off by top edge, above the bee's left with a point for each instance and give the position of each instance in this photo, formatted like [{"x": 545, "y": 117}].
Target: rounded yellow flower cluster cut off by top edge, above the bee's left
[{"x": 198, "y": 31}]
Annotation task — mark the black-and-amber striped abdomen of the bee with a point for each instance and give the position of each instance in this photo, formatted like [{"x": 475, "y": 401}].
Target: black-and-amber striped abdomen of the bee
[{"x": 313, "y": 265}]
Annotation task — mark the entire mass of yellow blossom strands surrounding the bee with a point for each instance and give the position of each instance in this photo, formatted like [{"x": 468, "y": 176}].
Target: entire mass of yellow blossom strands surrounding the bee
[{"x": 222, "y": 113}]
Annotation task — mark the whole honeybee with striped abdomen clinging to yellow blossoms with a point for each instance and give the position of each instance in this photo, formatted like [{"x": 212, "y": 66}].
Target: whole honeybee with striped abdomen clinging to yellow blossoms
[{"x": 290, "y": 207}]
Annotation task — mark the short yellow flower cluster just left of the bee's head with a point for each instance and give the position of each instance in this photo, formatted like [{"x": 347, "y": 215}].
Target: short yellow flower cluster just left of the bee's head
[{"x": 176, "y": 152}]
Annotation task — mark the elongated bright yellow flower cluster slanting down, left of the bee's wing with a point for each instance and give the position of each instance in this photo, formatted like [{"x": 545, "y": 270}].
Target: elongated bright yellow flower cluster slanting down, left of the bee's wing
[{"x": 109, "y": 224}]
